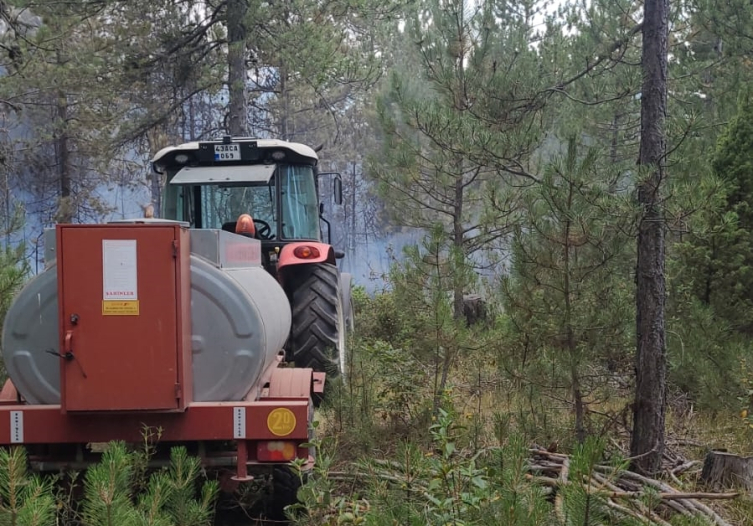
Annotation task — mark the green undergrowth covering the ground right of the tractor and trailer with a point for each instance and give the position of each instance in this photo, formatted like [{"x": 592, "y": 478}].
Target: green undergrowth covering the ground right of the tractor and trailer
[{"x": 395, "y": 448}]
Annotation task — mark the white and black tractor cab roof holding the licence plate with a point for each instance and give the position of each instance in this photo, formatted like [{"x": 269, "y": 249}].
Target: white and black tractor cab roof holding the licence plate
[{"x": 251, "y": 150}]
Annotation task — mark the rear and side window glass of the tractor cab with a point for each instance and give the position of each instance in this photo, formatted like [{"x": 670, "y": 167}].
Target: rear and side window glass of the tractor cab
[{"x": 212, "y": 206}]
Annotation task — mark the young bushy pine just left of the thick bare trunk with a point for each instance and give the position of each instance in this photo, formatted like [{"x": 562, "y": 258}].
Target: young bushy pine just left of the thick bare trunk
[{"x": 566, "y": 295}]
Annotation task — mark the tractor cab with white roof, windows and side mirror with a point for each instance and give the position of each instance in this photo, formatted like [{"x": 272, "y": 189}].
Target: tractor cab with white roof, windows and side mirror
[{"x": 212, "y": 184}]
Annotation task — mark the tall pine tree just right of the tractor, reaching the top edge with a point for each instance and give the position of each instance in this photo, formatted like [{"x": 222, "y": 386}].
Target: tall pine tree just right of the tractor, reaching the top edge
[{"x": 451, "y": 142}]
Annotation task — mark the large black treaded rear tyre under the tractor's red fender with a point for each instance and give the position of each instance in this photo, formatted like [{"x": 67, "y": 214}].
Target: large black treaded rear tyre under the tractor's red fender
[{"x": 318, "y": 327}]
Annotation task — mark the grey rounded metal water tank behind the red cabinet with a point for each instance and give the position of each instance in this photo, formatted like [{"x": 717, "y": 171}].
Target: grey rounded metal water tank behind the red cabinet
[{"x": 240, "y": 320}]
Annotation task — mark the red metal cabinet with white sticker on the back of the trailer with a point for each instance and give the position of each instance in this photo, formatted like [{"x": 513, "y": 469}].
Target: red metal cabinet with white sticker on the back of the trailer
[{"x": 124, "y": 303}]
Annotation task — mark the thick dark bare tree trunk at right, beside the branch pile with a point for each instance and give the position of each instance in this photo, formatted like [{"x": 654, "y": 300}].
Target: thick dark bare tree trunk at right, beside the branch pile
[{"x": 647, "y": 443}]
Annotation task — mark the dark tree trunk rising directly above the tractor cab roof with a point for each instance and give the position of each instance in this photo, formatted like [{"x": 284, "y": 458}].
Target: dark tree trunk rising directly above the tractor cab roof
[{"x": 236, "y": 29}]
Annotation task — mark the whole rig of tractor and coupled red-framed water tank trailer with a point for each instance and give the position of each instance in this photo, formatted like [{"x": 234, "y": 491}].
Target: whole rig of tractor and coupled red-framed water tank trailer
[{"x": 187, "y": 323}]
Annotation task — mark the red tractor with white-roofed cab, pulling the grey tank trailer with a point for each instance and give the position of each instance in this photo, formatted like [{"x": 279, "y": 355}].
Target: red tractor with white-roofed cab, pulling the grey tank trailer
[{"x": 273, "y": 187}]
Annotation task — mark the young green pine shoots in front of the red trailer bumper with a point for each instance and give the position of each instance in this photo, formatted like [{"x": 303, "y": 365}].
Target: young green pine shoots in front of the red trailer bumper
[{"x": 117, "y": 491}]
